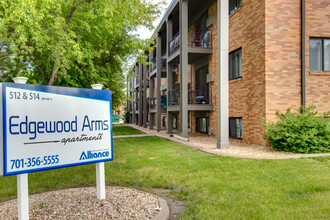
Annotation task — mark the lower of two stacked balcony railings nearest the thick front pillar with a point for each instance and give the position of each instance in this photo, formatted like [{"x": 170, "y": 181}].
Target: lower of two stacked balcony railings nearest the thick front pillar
[{"x": 202, "y": 96}]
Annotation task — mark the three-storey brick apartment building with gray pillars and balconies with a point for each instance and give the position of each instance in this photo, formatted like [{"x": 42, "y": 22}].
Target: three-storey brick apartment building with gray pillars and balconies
[{"x": 219, "y": 66}]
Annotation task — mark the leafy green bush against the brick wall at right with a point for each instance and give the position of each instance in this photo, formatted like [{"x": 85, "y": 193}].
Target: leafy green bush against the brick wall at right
[{"x": 301, "y": 132}]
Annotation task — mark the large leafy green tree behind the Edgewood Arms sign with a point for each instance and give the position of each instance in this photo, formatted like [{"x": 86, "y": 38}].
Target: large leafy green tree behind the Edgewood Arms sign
[{"x": 73, "y": 43}]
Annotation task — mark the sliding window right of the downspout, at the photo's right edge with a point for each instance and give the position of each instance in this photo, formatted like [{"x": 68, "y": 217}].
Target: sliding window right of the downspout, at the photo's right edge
[{"x": 319, "y": 54}]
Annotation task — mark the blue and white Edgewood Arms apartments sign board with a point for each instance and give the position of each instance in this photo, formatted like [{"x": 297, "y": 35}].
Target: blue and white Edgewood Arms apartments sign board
[{"x": 48, "y": 127}]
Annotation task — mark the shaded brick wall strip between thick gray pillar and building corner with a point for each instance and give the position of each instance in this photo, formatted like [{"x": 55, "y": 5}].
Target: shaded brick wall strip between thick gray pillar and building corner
[{"x": 247, "y": 94}]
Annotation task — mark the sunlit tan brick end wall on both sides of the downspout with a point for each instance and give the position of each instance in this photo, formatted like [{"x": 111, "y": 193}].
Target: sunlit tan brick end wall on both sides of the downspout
[{"x": 283, "y": 55}]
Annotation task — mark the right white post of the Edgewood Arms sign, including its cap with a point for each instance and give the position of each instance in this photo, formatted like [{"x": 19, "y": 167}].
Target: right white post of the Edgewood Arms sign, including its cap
[{"x": 100, "y": 178}]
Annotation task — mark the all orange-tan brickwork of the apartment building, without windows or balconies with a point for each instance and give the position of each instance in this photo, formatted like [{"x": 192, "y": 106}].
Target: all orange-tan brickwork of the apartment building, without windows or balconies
[{"x": 268, "y": 32}]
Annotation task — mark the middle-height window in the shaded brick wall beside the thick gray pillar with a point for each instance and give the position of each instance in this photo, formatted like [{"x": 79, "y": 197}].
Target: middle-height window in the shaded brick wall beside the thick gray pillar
[{"x": 235, "y": 64}]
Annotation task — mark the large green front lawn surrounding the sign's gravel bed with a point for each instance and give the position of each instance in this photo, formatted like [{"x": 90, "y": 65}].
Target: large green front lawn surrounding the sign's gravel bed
[{"x": 213, "y": 187}]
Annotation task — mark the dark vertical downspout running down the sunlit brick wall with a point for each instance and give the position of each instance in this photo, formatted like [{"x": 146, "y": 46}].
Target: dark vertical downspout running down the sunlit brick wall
[{"x": 303, "y": 54}]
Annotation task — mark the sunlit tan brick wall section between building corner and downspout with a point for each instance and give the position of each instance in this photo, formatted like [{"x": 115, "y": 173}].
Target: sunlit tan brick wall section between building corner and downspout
[{"x": 283, "y": 60}]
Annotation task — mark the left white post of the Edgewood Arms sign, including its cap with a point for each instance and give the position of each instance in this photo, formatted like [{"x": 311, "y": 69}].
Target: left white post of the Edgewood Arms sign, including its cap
[{"x": 22, "y": 180}]
